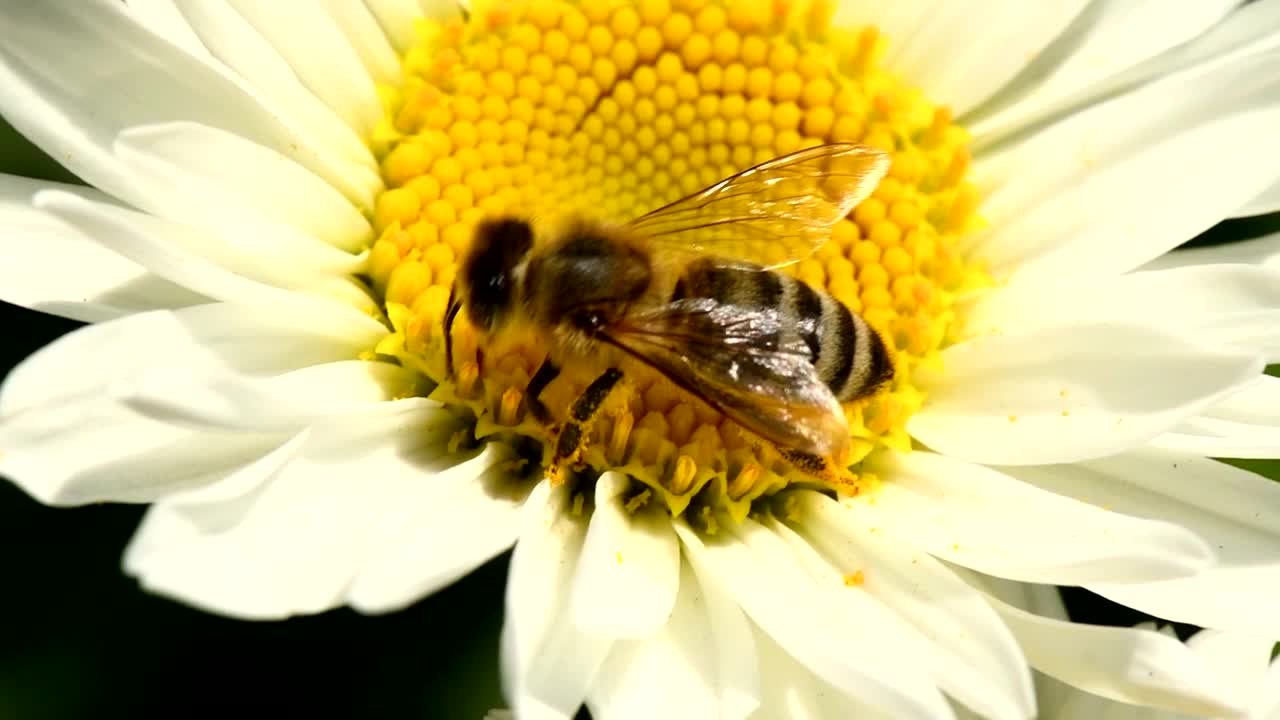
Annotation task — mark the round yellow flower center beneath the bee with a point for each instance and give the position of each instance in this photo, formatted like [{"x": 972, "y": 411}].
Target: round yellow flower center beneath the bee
[{"x": 548, "y": 110}]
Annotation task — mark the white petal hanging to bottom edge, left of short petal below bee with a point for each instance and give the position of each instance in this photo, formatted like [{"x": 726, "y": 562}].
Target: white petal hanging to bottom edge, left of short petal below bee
[{"x": 547, "y": 664}]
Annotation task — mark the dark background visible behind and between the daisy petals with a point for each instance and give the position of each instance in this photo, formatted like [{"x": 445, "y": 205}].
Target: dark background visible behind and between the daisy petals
[{"x": 80, "y": 640}]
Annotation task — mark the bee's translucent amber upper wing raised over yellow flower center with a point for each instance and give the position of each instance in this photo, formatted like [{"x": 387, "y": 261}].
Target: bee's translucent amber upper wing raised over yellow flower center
[{"x": 776, "y": 213}]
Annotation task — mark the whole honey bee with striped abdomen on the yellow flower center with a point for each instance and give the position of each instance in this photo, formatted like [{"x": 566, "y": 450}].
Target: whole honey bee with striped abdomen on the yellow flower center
[{"x": 693, "y": 291}]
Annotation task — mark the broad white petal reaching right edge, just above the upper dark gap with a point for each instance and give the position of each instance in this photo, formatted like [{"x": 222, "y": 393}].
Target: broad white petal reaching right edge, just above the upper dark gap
[{"x": 1112, "y": 188}]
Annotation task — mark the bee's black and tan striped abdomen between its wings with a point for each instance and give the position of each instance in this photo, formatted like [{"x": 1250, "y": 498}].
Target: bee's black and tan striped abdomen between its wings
[{"x": 848, "y": 356}]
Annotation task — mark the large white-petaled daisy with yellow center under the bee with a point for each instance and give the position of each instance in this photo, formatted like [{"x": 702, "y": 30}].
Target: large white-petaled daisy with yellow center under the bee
[{"x": 280, "y": 195}]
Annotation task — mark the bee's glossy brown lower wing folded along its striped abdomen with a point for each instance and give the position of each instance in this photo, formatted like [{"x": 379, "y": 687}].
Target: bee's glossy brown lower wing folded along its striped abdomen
[{"x": 740, "y": 362}]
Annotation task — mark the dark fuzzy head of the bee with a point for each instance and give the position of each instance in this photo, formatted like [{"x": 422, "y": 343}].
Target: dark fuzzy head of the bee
[{"x": 487, "y": 280}]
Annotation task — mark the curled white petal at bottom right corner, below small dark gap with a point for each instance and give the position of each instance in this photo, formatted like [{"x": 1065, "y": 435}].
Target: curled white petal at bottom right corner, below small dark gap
[{"x": 1124, "y": 664}]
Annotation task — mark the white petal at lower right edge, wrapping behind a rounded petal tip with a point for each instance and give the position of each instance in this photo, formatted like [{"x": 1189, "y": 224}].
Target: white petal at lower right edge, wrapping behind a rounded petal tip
[{"x": 1235, "y": 512}]
